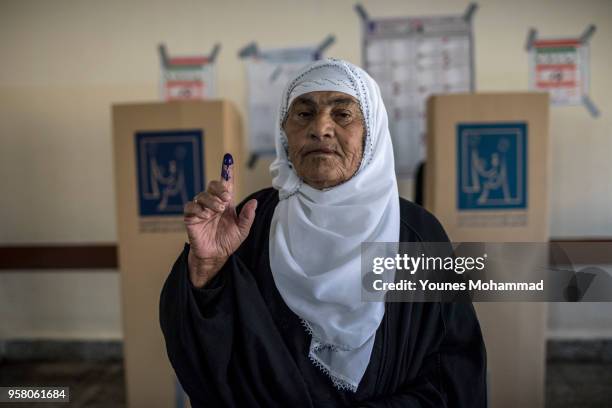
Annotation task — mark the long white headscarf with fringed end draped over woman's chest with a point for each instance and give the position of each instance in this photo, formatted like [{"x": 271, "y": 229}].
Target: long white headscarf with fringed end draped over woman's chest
[{"x": 316, "y": 235}]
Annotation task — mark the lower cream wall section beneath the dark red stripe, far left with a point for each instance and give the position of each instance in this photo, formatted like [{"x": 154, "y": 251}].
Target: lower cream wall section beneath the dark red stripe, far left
[{"x": 60, "y": 305}]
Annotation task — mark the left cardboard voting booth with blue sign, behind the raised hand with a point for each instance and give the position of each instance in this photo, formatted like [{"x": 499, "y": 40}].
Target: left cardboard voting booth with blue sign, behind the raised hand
[{"x": 165, "y": 153}]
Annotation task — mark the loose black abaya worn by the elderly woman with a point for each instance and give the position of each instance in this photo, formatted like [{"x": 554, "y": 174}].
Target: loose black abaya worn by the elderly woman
[{"x": 235, "y": 343}]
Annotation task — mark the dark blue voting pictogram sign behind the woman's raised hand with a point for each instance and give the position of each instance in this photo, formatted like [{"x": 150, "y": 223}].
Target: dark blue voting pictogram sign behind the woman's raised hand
[{"x": 169, "y": 169}]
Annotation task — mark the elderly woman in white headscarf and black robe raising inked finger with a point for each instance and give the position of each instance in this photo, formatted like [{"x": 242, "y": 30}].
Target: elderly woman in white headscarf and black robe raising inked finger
[{"x": 262, "y": 307}]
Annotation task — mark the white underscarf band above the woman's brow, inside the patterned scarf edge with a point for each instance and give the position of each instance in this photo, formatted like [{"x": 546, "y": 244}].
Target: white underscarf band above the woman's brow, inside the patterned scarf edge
[{"x": 323, "y": 78}]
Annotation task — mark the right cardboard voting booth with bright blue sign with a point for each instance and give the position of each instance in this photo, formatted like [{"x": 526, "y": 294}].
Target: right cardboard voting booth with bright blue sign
[{"x": 486, "y": 179}]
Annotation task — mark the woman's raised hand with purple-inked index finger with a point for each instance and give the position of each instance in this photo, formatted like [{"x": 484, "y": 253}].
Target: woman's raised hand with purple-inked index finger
[{"x": 214, "y": 229}]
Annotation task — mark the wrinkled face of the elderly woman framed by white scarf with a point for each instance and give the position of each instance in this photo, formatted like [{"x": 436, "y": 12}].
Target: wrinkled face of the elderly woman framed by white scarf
[{"x": 325, "y": 132}]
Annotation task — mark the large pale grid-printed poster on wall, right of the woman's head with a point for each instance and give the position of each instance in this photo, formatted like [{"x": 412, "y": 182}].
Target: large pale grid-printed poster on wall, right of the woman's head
[{"x": 412, "y": 58}]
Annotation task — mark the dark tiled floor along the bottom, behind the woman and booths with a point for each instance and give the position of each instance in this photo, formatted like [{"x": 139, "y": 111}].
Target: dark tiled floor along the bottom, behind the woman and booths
[{"x": 100, "y": 384}]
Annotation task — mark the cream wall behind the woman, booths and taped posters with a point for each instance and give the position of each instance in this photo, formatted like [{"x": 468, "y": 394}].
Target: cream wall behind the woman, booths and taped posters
[{"x": 65, "y": 62}]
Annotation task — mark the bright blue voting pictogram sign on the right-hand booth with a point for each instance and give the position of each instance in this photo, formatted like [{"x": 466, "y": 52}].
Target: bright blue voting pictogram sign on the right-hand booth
[{"x": 492, "y": 166}]
